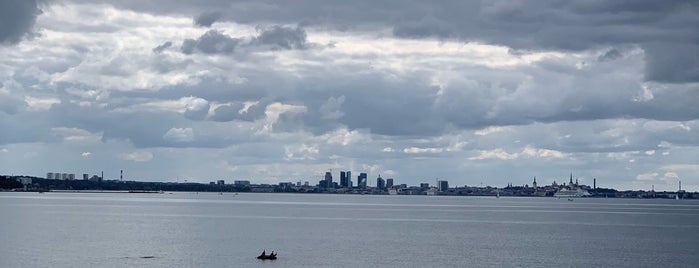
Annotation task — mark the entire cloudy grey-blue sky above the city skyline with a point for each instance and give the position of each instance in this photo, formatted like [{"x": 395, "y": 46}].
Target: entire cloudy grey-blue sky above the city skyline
[{"x": 473, "y": 92}]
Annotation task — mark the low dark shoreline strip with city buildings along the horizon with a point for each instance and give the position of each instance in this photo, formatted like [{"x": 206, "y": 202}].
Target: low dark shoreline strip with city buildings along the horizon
[{"x": 96, "y": 184}]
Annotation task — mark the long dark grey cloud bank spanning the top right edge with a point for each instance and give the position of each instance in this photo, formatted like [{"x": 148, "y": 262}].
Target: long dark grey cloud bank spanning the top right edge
[{"x": 529, "y": 25}]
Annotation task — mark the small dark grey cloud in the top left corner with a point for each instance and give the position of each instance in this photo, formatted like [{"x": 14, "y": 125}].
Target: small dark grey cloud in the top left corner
[{"x": 17, "y": 17}]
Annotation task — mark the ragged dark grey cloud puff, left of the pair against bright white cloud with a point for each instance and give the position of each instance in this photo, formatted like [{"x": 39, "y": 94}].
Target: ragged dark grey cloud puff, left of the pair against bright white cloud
[{"x": 211, "y": 42}]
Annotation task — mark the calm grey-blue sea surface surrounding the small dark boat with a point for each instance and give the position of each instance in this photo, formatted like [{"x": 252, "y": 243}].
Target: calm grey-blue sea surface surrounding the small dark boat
[{"x": 211, "y": 230}]
